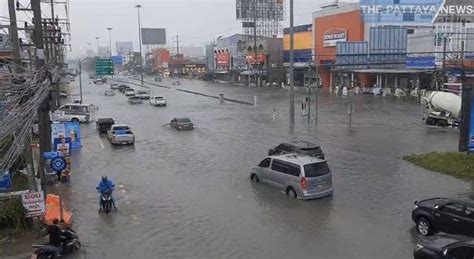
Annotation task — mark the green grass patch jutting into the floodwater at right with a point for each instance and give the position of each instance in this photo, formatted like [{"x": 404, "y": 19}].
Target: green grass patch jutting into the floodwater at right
[{"x": 459, "y": 165}]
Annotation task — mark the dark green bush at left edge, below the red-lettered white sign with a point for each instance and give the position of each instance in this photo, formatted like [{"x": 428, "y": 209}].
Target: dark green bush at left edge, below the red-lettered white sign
[{"x": 12, "y": 215}]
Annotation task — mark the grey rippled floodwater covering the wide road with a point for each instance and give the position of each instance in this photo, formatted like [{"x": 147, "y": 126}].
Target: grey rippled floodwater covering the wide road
[{"x": 187, "y": 194}]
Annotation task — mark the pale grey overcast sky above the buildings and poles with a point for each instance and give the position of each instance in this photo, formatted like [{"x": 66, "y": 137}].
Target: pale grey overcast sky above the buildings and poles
[{"x": 196, "y": 21}]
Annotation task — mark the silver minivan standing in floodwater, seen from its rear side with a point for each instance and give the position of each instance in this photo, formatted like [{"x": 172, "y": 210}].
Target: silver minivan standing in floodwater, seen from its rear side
[{"x": 299, "y": 176}]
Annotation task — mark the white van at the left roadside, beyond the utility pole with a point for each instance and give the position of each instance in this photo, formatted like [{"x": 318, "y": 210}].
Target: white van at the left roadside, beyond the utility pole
[{"x": 75, "y": 112}]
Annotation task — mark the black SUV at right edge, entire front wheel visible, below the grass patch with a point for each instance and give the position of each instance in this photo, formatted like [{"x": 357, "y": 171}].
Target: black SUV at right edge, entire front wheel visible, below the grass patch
[{"x": 455, "y": 216}]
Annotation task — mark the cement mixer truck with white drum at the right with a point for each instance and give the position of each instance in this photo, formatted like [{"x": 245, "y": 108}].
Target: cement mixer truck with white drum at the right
[{"x": 442, "y": 109}]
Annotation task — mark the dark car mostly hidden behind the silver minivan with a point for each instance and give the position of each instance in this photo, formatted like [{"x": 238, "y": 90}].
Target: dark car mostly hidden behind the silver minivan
[{"x": 299, "y": 147}]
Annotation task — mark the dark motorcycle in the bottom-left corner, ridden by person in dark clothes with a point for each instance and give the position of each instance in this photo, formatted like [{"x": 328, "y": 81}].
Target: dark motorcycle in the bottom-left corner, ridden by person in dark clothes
[{"x": 46, "y": 251}]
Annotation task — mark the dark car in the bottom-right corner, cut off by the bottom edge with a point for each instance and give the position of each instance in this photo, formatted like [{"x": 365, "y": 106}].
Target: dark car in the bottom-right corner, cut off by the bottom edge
[{"x": 443, "y": 246}]
